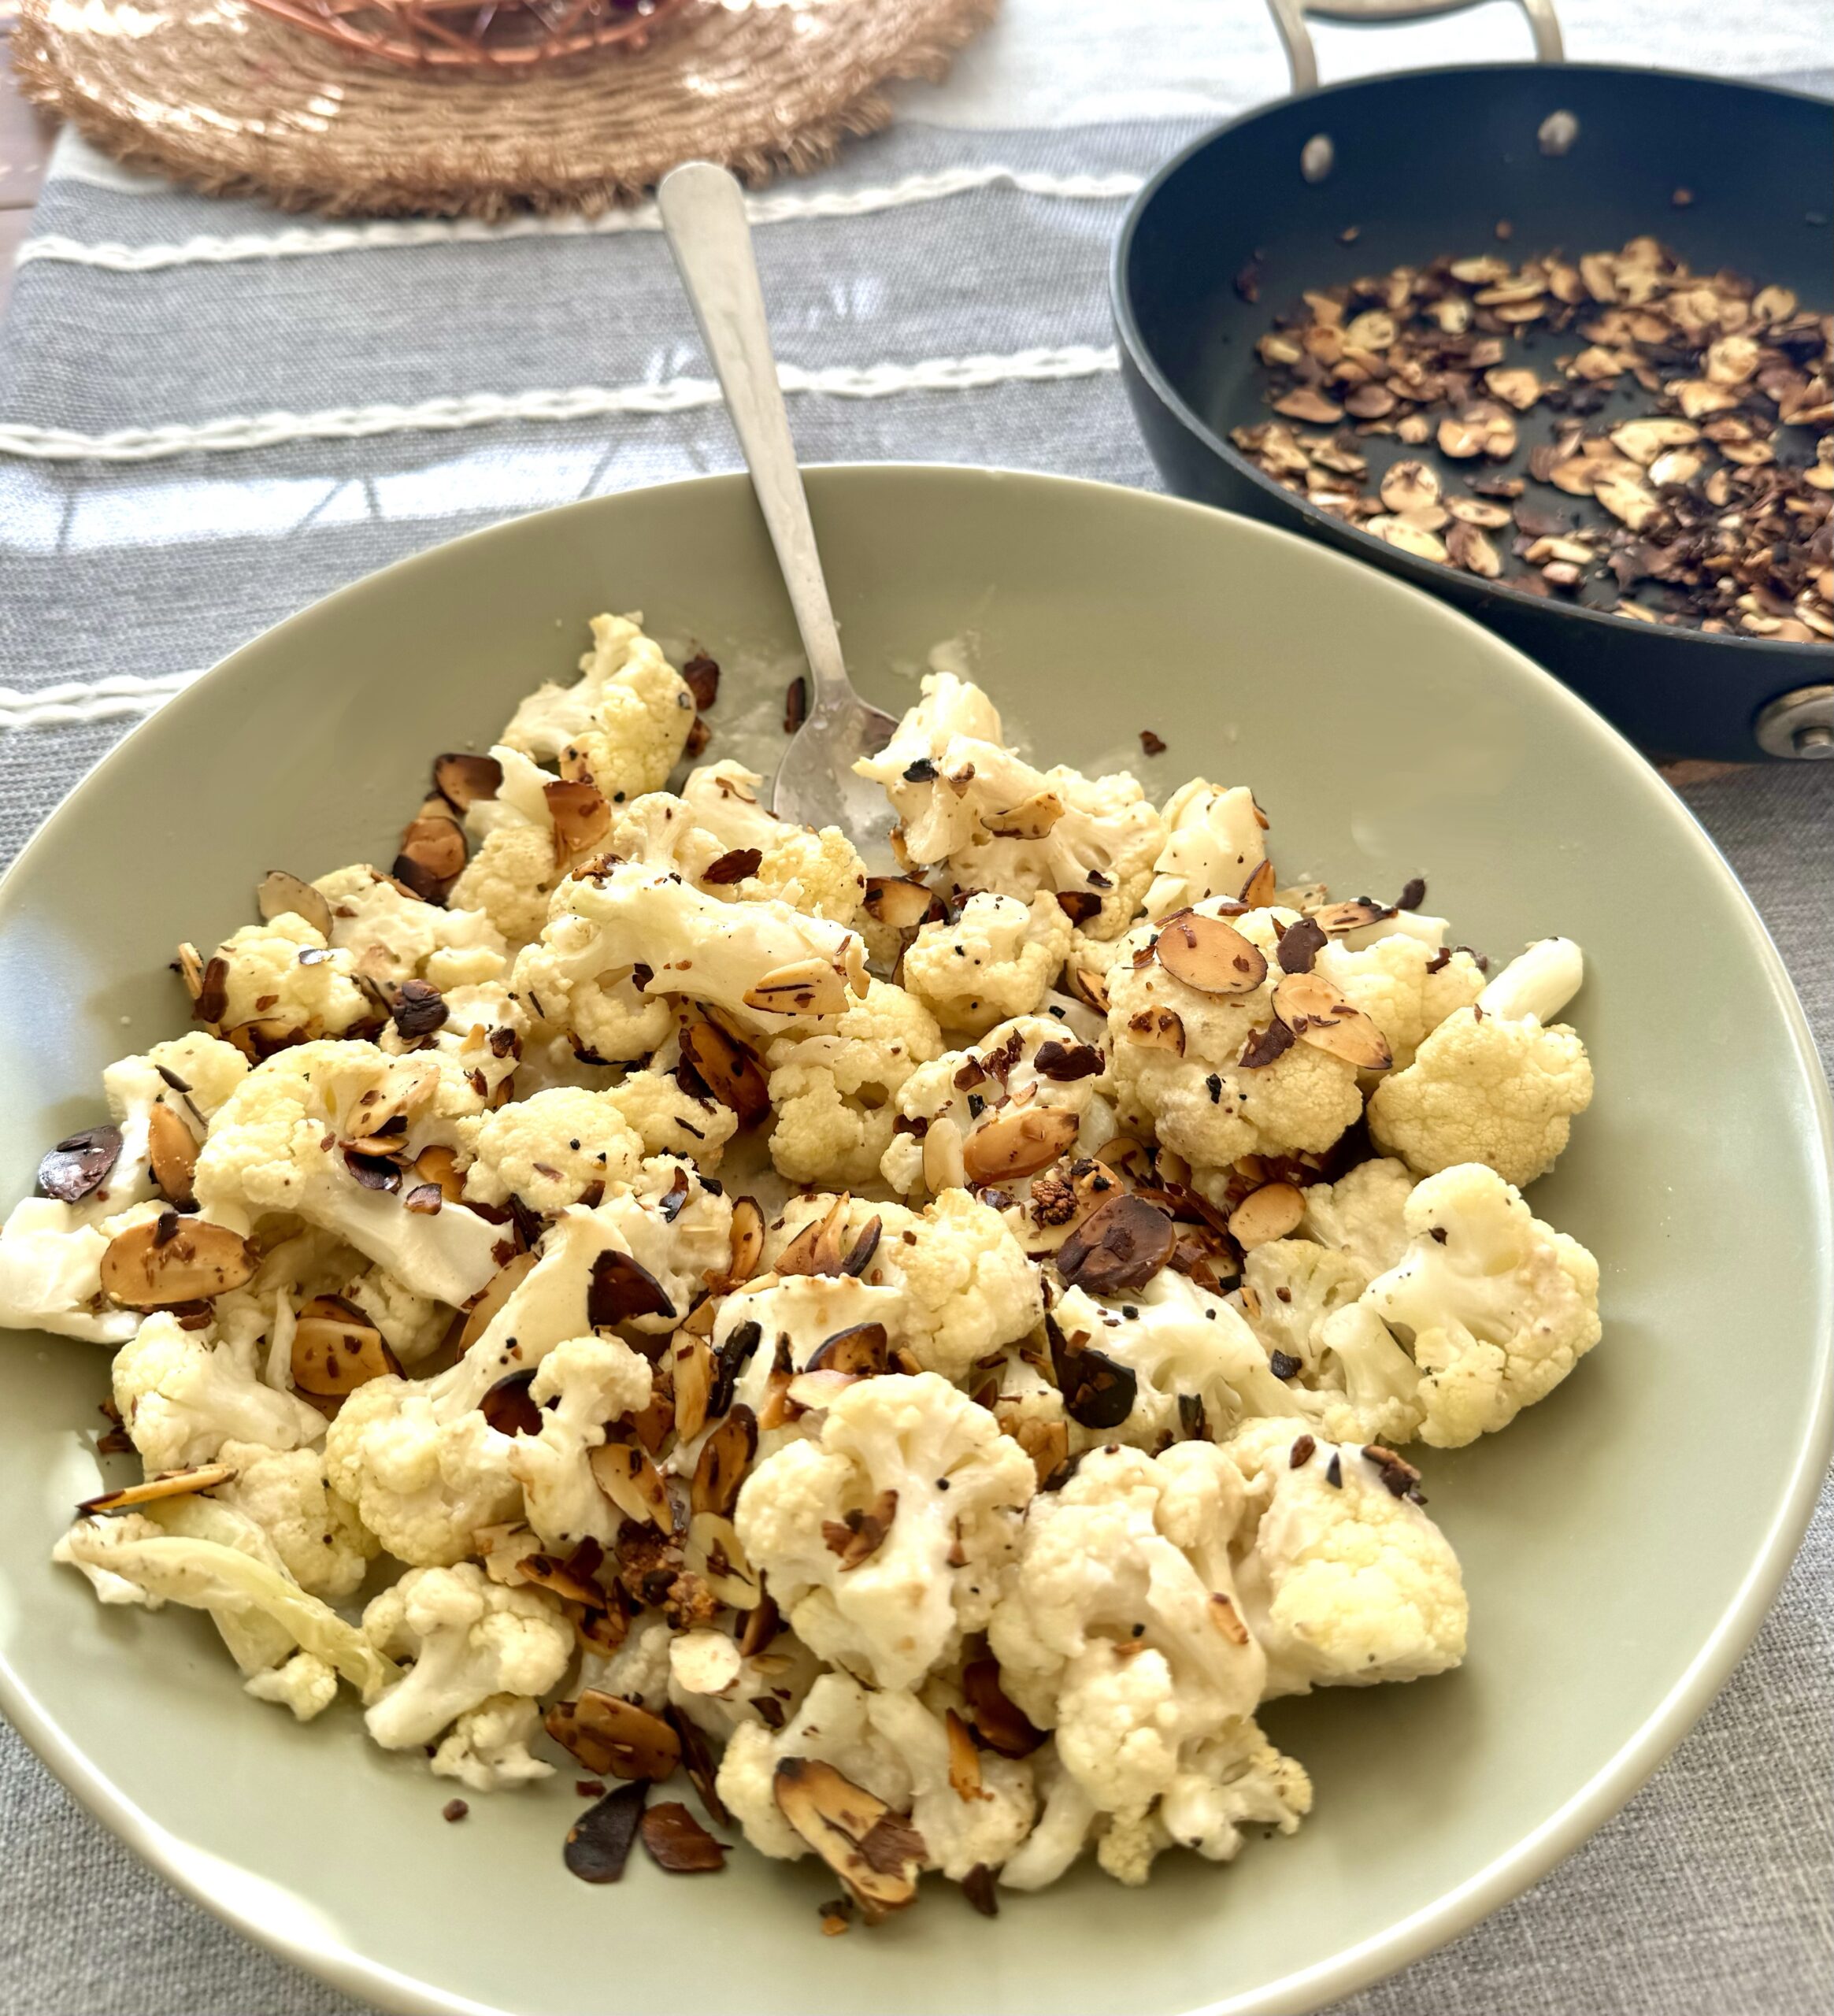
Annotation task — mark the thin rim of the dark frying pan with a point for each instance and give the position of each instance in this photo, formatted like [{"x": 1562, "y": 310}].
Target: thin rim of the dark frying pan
[{"x": 1138, "y": 354}]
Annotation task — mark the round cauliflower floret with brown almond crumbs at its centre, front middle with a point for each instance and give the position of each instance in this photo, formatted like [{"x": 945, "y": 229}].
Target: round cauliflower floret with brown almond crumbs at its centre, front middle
[{"x": 936, "y": 1481}]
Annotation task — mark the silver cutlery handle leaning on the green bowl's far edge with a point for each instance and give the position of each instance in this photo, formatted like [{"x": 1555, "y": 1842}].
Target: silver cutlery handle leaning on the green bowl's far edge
[{"x": 704, "y": 215}]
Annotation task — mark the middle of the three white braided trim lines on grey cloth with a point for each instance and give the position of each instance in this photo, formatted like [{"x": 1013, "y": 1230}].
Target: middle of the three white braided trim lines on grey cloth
[{"x": 581, "y": 402}]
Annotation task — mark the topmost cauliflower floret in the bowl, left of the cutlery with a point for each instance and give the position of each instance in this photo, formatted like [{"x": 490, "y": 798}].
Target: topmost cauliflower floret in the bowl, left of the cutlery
[{"x": 622, "y": 727}]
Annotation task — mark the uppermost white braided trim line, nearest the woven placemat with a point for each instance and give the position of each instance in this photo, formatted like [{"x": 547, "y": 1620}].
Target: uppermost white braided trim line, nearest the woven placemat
[{"x": 386, "y": 235}]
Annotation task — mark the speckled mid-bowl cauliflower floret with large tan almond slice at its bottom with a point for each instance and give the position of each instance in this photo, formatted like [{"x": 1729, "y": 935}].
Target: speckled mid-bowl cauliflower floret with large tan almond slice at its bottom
[{"x": 958, "y": 1120}]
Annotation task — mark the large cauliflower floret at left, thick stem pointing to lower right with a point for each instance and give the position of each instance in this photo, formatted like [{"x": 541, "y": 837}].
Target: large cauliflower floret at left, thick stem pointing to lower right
[{"x": 273, "y": 1148}]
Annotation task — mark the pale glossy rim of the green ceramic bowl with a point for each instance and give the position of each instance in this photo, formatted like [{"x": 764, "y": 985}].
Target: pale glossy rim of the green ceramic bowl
[{"x": 1480, "y": 1894}]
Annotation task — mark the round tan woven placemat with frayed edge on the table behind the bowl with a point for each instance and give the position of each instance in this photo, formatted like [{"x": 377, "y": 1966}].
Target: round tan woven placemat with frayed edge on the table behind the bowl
[{"x": 237, "y": 104}]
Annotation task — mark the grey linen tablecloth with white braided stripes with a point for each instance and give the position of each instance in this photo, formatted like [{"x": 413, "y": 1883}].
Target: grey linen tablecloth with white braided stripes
[{"x": 1712, "y": 1890}]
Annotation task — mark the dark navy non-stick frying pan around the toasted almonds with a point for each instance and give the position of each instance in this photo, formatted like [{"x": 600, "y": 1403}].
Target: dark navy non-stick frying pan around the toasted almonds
[{"x": 1428, "y": 164}]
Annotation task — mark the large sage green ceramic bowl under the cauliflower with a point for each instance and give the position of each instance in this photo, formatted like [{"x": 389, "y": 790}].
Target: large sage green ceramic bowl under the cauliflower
[{"x": 1621, "y": 1541}]
